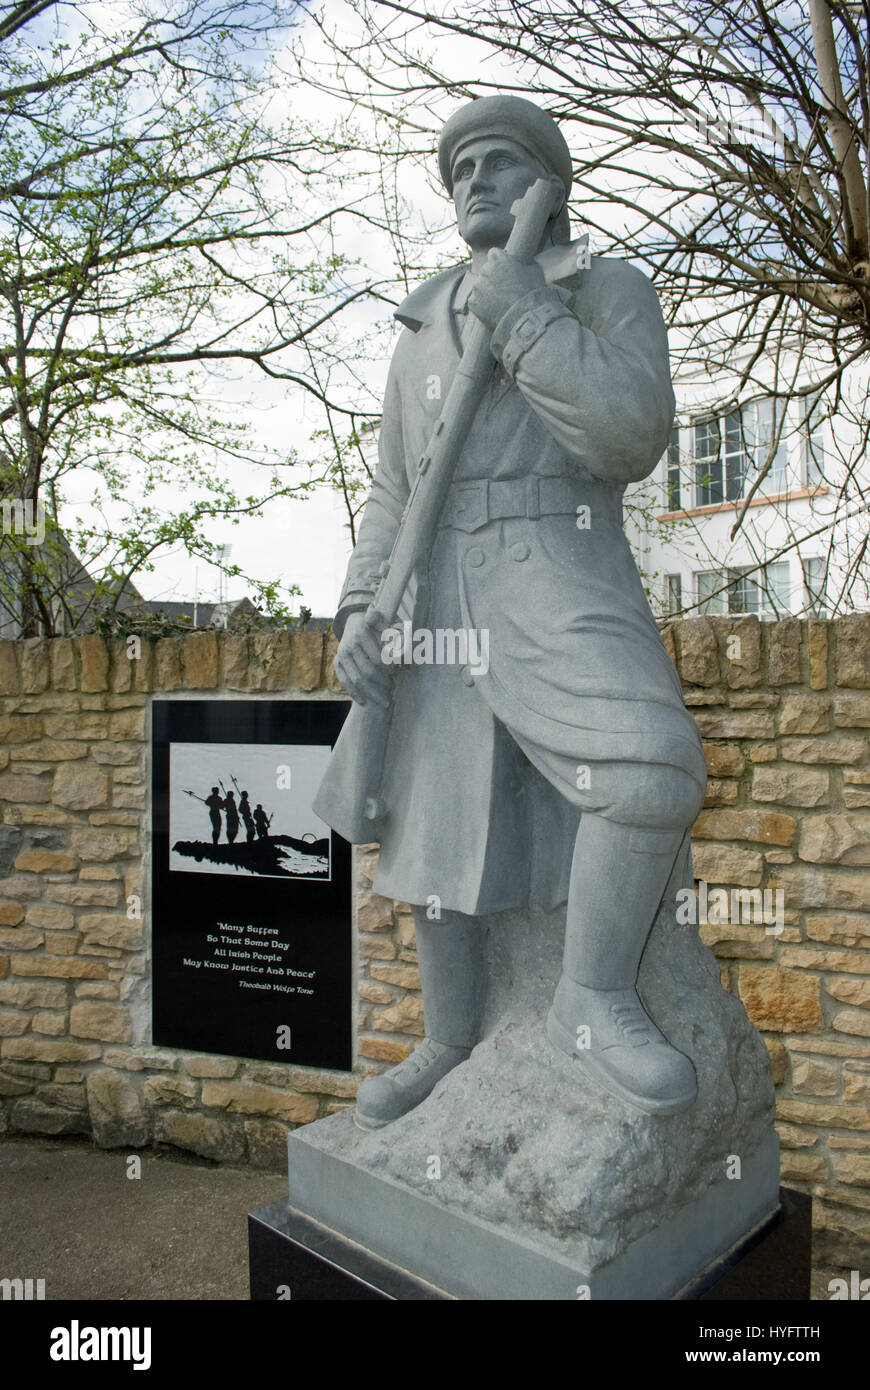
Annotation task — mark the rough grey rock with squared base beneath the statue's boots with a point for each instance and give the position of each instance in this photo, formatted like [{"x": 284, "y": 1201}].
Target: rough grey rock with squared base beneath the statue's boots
[{"x": 522, "y": 1179}]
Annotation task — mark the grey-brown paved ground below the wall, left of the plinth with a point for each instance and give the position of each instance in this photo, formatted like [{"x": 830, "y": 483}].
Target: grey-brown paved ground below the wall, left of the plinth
[{"x": 70, "y": 1216}]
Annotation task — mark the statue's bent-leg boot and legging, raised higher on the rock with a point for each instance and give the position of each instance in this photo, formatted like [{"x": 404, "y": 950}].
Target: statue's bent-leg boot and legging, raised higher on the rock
[{"x": 618, "y": 881}]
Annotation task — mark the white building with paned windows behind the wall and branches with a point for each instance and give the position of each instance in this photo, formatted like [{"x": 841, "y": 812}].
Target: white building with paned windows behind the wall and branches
[{"x": 803, "y": 547}]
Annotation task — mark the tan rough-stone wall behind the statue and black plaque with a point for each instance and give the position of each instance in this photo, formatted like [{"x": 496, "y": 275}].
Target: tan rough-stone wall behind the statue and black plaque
[{"x": 785, "y": 711}]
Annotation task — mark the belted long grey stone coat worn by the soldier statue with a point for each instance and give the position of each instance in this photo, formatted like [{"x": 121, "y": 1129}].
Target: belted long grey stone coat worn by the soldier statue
[{"x": 483, "y": 801}]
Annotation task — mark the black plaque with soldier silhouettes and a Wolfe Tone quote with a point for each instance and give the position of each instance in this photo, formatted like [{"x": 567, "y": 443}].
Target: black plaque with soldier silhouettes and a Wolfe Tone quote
[{"x": 252, "y": 917}]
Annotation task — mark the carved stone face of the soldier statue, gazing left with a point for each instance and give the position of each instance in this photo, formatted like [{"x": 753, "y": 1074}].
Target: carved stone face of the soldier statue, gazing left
[{"x": 489, "y": 177}]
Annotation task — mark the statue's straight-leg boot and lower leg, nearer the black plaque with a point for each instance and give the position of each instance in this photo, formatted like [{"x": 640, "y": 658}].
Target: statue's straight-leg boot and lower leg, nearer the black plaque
[{"x": 451, "y": 957}]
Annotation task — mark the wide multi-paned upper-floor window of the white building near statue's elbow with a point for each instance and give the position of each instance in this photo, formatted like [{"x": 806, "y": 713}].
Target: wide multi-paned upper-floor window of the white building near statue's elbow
[{"x": 730, "y": 450}]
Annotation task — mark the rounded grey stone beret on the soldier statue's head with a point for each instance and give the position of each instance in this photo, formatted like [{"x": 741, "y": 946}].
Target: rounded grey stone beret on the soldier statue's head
[{"x": 512, "y": 119}]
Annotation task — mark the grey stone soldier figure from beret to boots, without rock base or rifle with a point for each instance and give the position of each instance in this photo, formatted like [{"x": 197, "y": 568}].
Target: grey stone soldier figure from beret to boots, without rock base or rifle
[{"x": 566, "y": 769}]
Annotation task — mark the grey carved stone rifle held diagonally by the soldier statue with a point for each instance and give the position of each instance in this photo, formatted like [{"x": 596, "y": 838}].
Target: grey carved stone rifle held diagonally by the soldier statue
[{"x": 368, "y": 726}]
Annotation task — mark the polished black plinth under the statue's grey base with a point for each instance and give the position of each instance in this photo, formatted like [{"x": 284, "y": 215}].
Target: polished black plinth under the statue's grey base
[{"x": 294, "y": 1257}]
